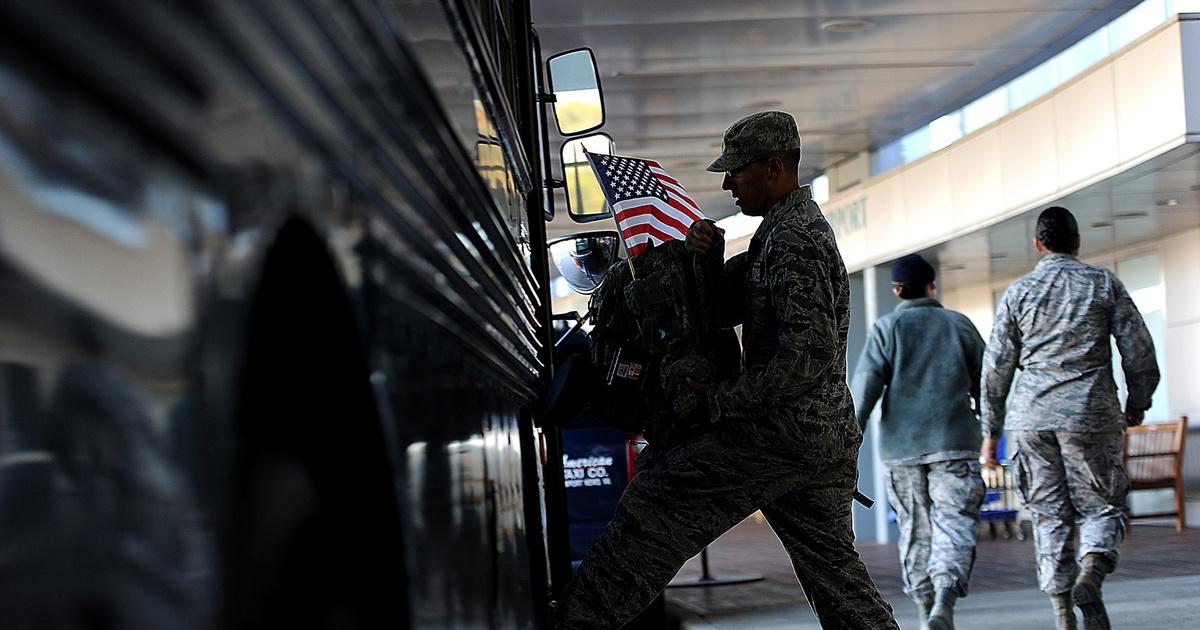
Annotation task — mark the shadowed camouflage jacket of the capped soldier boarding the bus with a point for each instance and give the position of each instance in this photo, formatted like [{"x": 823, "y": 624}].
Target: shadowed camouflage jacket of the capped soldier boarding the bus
[{"x": 791, "y": 293}]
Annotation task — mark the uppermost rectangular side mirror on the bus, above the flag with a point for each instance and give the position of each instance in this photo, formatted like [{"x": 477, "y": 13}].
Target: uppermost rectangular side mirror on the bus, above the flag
[{"x": 579, "y": 104}]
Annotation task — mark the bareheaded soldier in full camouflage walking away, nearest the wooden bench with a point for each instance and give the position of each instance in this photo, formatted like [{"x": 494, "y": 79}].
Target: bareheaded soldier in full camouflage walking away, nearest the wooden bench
[{"x": 1065, "y": 417}]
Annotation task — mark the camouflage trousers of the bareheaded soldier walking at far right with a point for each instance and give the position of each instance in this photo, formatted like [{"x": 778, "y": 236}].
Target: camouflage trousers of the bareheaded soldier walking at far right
[{"x": 1071, "y": 482}]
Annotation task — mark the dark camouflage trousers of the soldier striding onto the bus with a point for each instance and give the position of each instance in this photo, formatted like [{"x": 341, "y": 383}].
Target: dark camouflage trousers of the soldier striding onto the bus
[{"x": 699, "y": 491}]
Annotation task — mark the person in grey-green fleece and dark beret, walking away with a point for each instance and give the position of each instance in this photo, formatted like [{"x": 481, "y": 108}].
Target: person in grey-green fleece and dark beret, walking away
[{"x": 929, "y": 359}]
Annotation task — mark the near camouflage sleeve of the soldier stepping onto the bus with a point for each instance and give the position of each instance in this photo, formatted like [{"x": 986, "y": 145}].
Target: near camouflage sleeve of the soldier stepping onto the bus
[{"x": 802, "y": 297}]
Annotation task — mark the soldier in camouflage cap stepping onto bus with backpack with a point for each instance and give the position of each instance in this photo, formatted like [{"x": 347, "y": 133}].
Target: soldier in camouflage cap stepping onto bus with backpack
[{"x": 784, "y": 437}]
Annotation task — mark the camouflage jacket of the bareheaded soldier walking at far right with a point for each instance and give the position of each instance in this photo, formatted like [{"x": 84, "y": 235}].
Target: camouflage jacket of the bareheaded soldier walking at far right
[{"x": 1054, "y": 325}]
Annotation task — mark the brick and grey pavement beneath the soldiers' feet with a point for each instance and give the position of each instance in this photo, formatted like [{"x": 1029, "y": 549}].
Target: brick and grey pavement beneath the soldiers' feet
[{"x": 1156, "y": 586}]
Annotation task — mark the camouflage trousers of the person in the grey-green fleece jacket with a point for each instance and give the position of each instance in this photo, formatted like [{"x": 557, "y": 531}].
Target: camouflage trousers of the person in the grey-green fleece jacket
[{"x": 938, "y": 511}]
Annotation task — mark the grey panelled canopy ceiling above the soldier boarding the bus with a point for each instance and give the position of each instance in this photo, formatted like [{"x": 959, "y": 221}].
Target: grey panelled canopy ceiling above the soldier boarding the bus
[{"x": 677, "y": 74}]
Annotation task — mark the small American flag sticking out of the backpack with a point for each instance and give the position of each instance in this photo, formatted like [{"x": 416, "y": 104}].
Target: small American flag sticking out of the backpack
[{"x": 651, "y": 206}]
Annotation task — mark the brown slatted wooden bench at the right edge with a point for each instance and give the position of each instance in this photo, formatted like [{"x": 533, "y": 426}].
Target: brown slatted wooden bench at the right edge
[{"x": 1154, "y": 459}]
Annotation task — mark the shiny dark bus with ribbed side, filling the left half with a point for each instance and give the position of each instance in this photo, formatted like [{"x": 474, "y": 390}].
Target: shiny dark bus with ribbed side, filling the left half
[{"x": 274, "y": 315}]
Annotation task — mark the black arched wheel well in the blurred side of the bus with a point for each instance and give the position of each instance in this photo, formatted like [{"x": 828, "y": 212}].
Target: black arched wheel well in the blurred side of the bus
[{"x": 314, "y": 529}]
